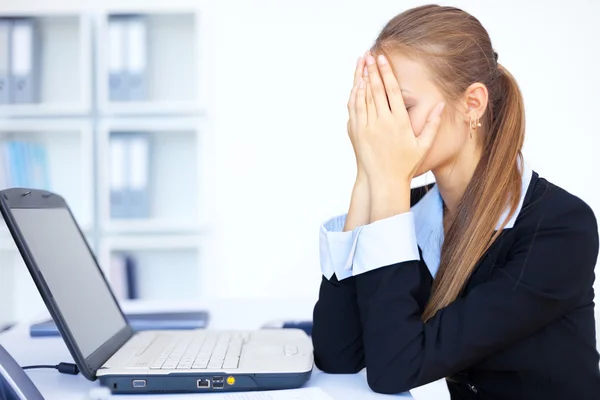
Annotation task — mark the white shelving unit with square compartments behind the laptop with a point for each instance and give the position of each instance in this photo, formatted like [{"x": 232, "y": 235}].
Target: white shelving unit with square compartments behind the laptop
[{"x": 75, "y": 120}]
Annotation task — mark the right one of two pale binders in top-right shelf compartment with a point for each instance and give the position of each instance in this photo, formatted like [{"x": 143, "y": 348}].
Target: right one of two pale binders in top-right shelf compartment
[{"x": 136, "y": 61}]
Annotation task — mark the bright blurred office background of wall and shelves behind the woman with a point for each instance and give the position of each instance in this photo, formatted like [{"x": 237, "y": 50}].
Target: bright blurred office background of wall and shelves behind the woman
[{"x": 201, "y": 143}]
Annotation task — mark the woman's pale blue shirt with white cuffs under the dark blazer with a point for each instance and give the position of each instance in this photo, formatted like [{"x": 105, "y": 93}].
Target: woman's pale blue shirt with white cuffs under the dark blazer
[{"x": 395, "y": 239}]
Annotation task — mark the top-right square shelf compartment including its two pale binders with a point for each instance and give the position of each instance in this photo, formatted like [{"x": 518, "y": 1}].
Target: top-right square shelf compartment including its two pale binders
[{"x": 153, "y": 69}]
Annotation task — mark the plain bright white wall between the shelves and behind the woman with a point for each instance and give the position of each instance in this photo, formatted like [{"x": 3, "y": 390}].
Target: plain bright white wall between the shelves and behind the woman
[{"x": 280, "y": 73}]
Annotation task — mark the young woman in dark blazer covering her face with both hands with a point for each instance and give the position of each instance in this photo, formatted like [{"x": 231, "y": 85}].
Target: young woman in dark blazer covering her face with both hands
[{"x": 484, "y": 278}]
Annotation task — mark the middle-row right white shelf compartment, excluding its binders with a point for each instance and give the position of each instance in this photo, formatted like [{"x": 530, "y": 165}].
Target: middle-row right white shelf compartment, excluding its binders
[{"x": 175, "y": 183}]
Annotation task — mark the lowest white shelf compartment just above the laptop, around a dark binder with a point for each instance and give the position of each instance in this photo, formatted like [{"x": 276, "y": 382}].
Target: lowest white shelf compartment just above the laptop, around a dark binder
[{"x": 166, "y": 268}]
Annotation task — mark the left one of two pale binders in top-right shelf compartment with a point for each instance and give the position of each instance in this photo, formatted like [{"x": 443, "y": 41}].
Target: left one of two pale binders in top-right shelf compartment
[{"x": 117, "y": 90}]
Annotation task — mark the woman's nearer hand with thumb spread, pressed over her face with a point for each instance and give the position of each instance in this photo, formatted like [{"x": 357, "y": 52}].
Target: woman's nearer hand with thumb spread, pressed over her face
[{"x": 392, "y": 152}]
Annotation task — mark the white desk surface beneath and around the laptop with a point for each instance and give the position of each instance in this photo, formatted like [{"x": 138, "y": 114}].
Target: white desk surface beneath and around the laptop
[{"x": 225, "y": 314}]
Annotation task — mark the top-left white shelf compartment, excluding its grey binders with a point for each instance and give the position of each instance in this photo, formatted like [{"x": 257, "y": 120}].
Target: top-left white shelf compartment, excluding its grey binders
[{"x": 63, "y": 60}]
